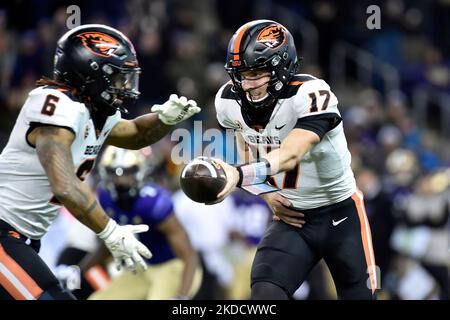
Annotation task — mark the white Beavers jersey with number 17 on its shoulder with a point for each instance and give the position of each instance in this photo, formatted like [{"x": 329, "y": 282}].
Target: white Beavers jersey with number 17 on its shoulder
[{"x": 324, "y": 175}]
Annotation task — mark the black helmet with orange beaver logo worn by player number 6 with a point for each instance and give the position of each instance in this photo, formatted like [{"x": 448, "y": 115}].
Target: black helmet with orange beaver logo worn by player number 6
[{"x": 100, "y": 62}]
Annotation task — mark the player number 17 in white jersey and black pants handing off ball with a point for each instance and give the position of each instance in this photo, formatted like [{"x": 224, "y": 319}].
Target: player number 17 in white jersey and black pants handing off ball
[{"x": 290, "y": 125}]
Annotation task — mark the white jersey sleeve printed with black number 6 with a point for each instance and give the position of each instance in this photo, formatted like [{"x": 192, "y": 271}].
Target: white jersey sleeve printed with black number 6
[{"x": 54, "y": 108}]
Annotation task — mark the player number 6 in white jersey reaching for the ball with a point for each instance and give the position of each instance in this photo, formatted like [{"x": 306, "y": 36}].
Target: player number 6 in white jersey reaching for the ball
[{"x": 53, "y": 146}]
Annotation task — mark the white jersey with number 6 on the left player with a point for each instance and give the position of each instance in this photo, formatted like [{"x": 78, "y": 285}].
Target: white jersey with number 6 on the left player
[{"x": 26, "y": 200}]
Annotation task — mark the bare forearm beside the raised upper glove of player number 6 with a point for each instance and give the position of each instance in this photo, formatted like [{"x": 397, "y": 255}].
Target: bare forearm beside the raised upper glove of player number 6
[{"x": 150, "y": 129}]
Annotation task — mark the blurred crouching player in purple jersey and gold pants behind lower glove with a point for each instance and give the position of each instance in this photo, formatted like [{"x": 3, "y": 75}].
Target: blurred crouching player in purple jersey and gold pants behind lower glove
[{"x": 174, "y": 272}]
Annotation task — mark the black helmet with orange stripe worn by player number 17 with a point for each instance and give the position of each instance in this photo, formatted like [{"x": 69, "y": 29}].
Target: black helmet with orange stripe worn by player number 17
[{"x": 262, "y": 44}]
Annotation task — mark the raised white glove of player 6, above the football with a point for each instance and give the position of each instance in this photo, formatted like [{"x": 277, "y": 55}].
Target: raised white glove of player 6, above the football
[{"x": 176, "y": 109}]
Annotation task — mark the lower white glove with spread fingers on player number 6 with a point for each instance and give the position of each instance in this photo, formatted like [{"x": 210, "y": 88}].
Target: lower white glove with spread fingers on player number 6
[{"x": 123, "y": 245}]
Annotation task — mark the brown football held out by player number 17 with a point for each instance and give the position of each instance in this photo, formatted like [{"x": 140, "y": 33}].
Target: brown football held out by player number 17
[{"x": 202, "y": 179}]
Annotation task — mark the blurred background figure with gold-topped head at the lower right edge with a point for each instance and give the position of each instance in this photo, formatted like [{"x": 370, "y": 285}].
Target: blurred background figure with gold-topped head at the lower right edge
[{"x": 421, "y": 238}]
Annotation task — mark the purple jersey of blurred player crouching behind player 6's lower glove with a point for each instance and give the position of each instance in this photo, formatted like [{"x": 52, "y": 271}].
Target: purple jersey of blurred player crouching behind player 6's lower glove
[{"x": 152, "y": 206}]
